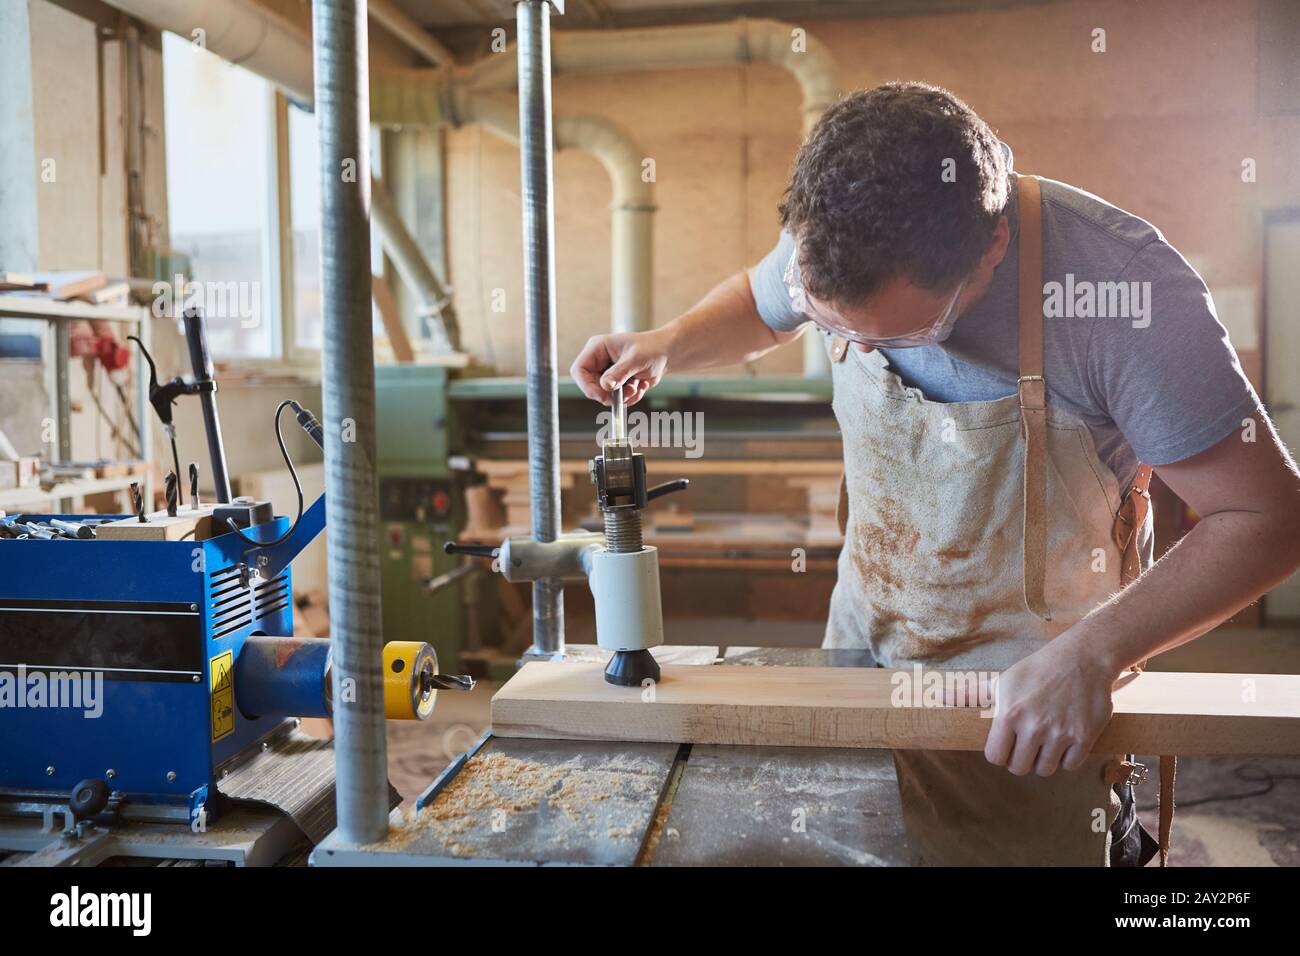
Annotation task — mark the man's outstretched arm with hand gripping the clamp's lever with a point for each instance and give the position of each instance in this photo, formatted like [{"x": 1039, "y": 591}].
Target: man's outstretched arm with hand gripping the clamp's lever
[{"x": 722, "y": 330}]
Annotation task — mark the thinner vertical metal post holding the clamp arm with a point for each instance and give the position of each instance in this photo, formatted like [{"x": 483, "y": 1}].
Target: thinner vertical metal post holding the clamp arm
[{"x": 536, "y": 149}]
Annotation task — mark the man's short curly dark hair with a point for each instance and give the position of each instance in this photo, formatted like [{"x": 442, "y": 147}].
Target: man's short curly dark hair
[{"x": 869, "y": 200}]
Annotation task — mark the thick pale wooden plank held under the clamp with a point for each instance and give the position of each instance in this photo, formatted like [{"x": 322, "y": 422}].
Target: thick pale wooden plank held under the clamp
[{"x": 856, "y": 707}]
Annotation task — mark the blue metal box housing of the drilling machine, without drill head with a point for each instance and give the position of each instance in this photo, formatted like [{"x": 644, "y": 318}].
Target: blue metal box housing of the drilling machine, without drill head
[{"x": 163, "y": 622}]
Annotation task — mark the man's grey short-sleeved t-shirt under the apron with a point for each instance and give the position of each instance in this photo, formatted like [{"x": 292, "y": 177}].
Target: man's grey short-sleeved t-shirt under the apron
[{"x": 1156, "y": 382}]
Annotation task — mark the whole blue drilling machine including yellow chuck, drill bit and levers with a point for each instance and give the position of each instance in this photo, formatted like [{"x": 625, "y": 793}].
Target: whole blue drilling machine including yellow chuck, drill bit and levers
[{"x": 136, "y": 672}]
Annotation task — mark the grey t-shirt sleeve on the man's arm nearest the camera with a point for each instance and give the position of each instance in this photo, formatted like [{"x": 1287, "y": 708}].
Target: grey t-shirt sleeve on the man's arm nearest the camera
[{"x": 1167, "y": 373}]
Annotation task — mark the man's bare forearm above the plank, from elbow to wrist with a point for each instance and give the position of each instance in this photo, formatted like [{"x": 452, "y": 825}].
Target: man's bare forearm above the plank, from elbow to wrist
[{"x": 1228, "y": 561}]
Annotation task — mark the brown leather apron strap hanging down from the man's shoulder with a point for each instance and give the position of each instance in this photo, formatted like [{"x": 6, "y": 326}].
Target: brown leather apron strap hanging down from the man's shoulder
[{"x": 1034, "y": 401}]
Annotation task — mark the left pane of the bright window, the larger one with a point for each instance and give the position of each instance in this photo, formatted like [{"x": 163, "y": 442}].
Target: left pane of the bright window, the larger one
[{"x": 220, "y": 167}]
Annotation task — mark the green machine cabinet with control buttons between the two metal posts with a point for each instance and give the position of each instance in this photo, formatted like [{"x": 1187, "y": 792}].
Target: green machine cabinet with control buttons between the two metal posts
[{"x": 422, "y": 507}]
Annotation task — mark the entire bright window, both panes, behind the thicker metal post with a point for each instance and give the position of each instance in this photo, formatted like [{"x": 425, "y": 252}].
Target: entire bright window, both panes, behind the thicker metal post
[{"x": 226, "y": 202}]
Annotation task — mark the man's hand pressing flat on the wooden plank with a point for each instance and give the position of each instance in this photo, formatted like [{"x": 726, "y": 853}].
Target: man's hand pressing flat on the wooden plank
[{"x": 1051, "y": 708}]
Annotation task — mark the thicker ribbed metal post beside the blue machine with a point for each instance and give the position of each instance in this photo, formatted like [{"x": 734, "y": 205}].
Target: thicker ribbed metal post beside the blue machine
[{"x": 348, "y": 391}]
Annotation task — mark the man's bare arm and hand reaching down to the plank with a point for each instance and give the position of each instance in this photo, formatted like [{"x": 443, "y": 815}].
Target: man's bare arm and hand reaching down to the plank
[{"x": 1054, "y": 706}]
